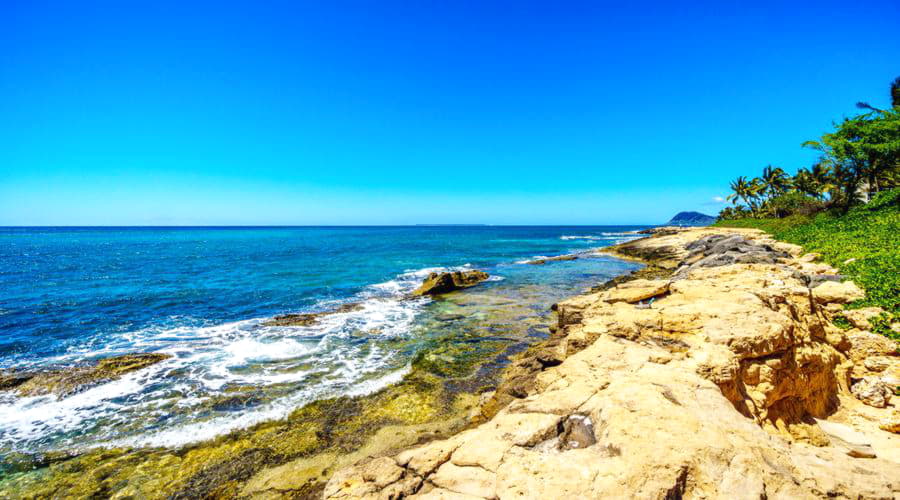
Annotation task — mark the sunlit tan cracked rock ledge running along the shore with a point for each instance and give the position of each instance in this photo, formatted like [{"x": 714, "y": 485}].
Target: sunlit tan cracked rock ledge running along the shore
[{"x": 732, "y": 384}]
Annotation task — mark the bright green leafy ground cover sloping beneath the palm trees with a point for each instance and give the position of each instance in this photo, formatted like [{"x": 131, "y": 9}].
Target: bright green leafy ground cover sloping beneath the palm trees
[{"x": 863, "y": 244}]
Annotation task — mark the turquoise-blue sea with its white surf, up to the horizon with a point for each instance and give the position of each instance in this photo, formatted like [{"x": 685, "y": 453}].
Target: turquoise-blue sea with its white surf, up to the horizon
[{"x": 71, "y": 295}]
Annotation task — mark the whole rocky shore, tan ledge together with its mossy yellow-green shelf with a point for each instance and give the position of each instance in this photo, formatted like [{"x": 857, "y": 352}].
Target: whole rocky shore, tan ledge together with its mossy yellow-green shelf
[{"x": 601, "y": 392}]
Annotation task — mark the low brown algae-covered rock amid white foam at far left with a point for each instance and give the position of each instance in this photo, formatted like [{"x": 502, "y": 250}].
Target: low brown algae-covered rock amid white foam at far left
[{"x": 66, "y": 381}]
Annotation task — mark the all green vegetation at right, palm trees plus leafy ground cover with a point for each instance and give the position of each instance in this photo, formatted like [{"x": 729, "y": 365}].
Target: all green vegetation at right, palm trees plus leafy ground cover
[{"x": 845, "y": 207}]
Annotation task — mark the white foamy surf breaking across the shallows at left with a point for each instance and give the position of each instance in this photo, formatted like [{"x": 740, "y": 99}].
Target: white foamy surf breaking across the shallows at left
[{"x": 345, "y": 353}]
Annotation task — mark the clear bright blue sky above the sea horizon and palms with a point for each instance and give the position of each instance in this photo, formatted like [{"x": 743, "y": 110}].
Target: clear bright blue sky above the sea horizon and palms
[{"x": 417, "y": 112}]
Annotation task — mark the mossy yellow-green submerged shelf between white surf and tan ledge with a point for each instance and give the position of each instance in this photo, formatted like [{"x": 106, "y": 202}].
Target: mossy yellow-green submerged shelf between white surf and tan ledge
[{"x": 433, "y": 400}]
